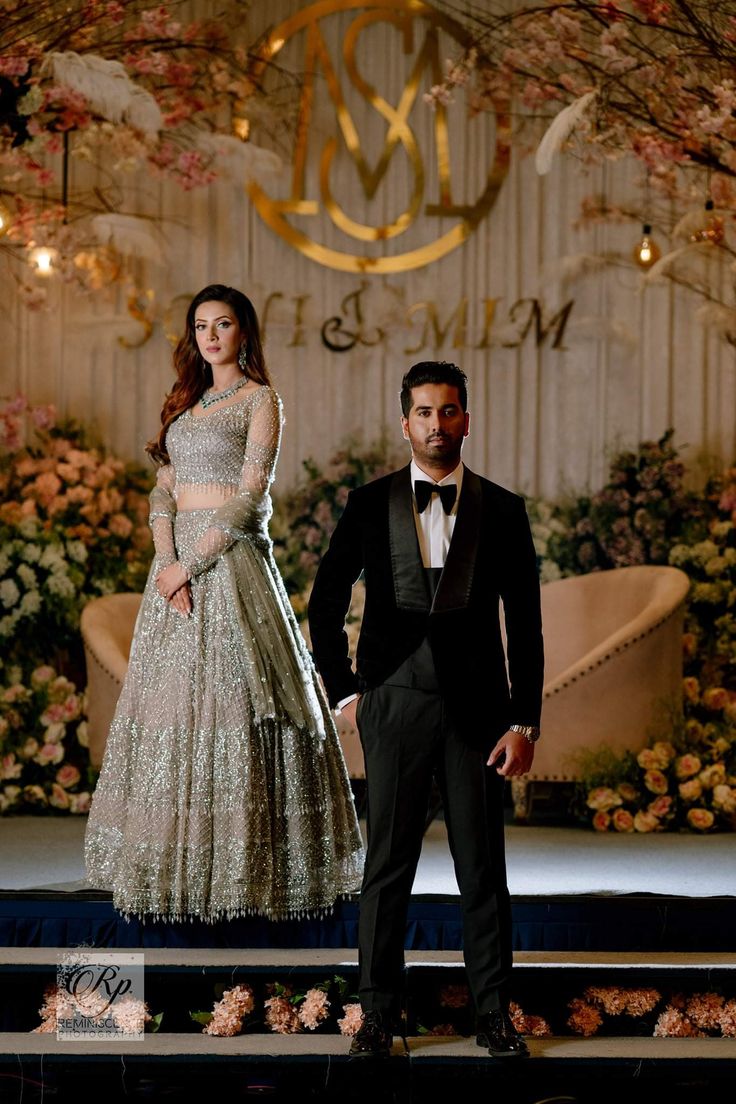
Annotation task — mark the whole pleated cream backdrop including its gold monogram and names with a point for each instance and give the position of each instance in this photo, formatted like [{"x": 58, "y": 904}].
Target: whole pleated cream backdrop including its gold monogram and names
[{"x": 392, "y": 233}]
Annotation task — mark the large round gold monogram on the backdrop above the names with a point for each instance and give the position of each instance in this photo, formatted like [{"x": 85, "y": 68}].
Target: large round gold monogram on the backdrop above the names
[{"x": 430, "y": 206}]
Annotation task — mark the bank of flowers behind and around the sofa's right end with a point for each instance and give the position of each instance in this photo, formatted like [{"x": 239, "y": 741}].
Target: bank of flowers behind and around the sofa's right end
[{"x": 687, "y": 776}]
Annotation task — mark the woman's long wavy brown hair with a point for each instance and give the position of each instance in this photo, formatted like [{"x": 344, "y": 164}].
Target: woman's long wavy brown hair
[{"x": 194, "y": 374}]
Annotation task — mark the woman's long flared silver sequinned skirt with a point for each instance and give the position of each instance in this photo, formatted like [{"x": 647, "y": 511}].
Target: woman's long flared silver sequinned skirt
[{"x": 223, "y": 790}]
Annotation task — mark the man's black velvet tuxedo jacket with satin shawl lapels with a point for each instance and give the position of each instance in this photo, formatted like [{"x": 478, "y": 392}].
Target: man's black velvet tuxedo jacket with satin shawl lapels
[{"x": 492, "y": 557}]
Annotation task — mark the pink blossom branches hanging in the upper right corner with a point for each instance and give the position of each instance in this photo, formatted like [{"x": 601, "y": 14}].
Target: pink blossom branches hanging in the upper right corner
[{"x": 645, "y": 80}]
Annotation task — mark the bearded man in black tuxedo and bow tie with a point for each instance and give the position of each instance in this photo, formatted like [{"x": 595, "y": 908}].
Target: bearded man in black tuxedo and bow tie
[{"x": 439, "y": 547}]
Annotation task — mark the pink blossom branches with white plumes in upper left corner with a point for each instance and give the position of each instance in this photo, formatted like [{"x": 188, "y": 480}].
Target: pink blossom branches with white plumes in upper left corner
[{"x": 118, "y": 89}]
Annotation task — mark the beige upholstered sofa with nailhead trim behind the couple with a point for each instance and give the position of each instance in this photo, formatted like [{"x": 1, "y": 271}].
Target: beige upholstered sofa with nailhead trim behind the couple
[{"x": 613, "y": 654}]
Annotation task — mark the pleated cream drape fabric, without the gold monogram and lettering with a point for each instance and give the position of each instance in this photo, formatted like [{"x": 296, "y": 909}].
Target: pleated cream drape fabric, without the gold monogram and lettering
[{"x": 542, "y": 420}]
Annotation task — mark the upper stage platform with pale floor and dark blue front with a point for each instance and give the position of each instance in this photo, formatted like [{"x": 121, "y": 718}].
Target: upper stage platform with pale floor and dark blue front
[{"x": 572, "y": 890}]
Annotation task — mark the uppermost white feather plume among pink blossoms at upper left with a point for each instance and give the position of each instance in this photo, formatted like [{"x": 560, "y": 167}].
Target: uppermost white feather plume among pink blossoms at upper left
[{"x": 108, "y": 89}]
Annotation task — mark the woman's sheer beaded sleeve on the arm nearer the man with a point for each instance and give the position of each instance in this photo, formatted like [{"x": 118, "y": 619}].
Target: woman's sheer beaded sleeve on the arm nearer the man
[{"x": 247, "y": 514}]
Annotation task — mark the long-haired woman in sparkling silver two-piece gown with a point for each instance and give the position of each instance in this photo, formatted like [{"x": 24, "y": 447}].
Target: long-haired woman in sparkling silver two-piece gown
[{"x": 223, "y": 791}]
